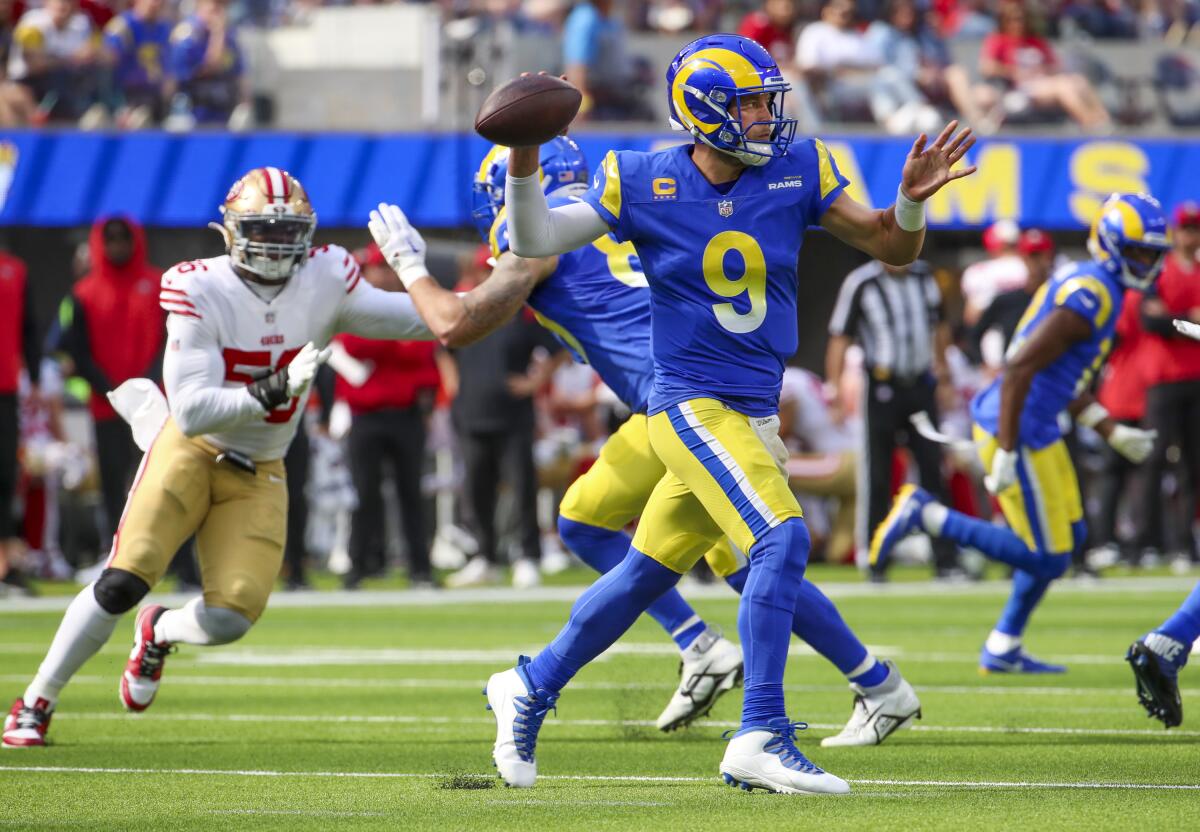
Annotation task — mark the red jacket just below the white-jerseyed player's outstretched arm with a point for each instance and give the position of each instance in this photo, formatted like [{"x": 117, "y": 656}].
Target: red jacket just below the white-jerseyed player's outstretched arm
[{"x": 400, "y": 370}]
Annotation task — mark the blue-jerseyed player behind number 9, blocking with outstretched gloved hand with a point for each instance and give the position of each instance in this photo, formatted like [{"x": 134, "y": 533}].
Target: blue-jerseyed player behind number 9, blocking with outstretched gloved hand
[{"x": 597, "y": 302}]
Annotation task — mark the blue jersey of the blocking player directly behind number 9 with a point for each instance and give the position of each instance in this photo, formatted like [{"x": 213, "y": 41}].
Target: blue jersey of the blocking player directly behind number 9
[{"x": 598, "y": 306}]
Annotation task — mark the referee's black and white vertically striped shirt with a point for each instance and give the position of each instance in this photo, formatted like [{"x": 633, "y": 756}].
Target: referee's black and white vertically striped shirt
[{"x": 892, "y": 316}]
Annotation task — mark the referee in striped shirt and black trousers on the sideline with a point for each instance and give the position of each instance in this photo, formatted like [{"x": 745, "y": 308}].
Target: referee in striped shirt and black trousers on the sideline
[{"x": 896, "y": 315}]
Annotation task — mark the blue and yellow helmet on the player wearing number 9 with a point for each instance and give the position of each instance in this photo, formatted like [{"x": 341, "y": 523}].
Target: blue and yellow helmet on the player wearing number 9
[{"x": 706, "y": 83}]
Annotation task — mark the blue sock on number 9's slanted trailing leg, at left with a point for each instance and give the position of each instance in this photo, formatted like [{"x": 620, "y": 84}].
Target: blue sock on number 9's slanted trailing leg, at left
[{"x": 601, "y": 616}]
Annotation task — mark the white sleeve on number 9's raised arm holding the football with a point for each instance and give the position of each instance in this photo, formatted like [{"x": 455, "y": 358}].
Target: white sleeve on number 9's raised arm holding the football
[{"x": 537, "y": 231}]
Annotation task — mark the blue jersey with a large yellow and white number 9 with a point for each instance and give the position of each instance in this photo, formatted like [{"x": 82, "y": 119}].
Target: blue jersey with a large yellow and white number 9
[{"x": 721, "y": 262}]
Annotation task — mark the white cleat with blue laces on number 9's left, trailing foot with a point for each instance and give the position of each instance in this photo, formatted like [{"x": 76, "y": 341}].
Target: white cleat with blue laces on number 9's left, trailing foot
[{"x": 520, "y": 711}]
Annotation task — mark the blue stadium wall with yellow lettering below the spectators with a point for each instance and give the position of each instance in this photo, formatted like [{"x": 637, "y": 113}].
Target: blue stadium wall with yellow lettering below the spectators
[{"x": 59, "y": 179}]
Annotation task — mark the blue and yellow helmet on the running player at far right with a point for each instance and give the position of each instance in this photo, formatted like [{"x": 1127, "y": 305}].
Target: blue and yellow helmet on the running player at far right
[{"x": 1130, "y": 240}]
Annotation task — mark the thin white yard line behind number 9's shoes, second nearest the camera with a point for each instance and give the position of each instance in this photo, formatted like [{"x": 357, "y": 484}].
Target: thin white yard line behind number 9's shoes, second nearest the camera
[{"x": 407, "y": 720}]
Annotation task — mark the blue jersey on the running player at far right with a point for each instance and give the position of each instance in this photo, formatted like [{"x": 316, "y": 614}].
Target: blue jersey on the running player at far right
[{"x": 1088, "y": 290}]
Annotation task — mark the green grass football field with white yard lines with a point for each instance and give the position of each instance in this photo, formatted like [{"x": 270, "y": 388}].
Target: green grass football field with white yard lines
[{"x": 365, "y": 713}]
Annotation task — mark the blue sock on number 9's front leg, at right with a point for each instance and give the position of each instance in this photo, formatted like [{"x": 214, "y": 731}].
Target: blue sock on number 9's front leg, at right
[{"x": 766, "y": 615}]
